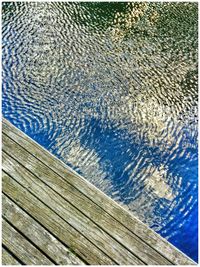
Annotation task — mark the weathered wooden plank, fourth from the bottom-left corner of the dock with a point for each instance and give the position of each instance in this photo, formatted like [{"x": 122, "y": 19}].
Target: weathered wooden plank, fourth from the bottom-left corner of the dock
[{"x": 53, "y": 222}]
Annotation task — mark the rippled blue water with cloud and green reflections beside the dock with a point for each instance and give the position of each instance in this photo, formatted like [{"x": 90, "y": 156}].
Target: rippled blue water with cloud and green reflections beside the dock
[{"x": 111, "y": 89}]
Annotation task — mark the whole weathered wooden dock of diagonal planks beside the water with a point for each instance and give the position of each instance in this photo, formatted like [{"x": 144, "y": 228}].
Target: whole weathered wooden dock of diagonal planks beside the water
[{"x": 53, "y": 216}]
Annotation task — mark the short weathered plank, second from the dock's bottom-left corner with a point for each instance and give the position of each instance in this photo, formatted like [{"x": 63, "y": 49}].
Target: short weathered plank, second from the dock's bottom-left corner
[{"x": 21, "y": 247}]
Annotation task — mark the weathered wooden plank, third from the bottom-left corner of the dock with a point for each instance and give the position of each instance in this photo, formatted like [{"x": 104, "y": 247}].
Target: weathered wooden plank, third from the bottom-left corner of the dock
[{"x": 37, "y": 234}]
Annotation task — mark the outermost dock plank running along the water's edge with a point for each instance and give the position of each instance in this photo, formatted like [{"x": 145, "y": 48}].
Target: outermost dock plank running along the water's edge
[{"x": 127, "y": 219}]
